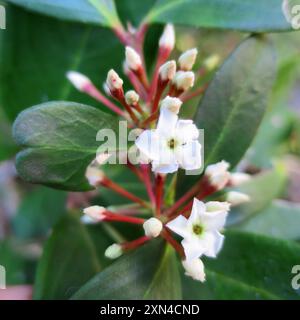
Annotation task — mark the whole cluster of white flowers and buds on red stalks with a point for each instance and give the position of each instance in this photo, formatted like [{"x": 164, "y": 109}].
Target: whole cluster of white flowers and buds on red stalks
[{"x": 166, "y": 144}]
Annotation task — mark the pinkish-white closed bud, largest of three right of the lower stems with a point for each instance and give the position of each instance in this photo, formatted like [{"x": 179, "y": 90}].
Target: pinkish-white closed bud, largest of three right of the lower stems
[{"x": 218, "y": 174}]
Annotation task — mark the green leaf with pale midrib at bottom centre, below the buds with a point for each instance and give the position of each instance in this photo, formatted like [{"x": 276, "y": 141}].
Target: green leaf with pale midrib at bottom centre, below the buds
[{"x": 150, "y": 272}]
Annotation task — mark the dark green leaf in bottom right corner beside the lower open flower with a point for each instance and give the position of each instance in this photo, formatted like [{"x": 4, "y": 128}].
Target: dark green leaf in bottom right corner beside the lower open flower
[{"x": 249, "y": 267}]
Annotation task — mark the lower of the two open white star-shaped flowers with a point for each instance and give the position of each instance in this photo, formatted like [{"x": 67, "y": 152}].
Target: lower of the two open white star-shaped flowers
[{"x": 201, "y": 231}]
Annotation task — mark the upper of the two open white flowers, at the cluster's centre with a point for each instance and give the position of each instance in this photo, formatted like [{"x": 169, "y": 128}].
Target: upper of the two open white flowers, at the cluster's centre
[{"x": 172, "y": 144}]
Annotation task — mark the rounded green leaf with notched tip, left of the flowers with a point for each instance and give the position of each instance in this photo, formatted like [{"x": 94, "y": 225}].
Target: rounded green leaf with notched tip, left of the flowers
[{"x": 60, "y": 142}]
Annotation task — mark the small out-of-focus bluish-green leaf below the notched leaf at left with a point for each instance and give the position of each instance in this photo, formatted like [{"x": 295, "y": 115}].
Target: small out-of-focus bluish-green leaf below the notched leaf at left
[{"x": 38, "y": 212}]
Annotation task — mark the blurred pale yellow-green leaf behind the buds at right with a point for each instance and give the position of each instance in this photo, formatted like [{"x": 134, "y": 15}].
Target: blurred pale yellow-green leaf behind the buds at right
[{"x": 262, "y": 189}]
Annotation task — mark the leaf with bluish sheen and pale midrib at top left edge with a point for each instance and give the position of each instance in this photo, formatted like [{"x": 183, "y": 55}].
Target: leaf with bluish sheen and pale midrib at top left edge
[{"x": 101, "y": 12}]
